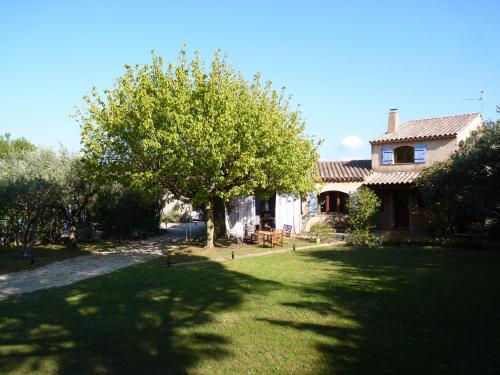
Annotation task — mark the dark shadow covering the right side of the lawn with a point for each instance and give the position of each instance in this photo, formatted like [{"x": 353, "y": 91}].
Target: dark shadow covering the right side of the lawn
[{"x": 414, "y": 311}]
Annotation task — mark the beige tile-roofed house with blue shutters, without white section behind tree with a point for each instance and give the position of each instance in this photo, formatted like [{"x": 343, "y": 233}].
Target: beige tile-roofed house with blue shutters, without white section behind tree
[{"x": 397, "y": 159}]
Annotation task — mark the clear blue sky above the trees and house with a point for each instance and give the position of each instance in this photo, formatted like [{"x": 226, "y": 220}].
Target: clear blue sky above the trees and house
[{"x": 345, "y": 62}]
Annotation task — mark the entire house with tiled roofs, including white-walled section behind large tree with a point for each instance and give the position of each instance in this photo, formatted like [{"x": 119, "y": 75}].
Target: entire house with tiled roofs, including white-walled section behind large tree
[{"x": 397, "y": 158}]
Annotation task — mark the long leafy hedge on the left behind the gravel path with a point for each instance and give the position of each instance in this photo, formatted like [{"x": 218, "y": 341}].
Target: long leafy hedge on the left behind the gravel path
[{"x": 44, "y": 194}]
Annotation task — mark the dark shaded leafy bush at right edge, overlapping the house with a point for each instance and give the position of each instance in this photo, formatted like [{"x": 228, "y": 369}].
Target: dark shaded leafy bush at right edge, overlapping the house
[{"x": 463, "y": 191}]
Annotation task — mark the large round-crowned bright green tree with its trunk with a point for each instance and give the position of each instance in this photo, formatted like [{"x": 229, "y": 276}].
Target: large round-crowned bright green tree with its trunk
[{"x": 201, "y": 133}]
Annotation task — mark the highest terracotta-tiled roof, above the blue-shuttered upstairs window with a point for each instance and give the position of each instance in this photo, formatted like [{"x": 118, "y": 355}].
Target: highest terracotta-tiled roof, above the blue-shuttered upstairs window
[{"x": 431, "y": 128}]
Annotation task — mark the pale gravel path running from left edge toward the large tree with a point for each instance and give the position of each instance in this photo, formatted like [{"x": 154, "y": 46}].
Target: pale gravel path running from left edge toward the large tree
[{"x": 72, "y": 270}]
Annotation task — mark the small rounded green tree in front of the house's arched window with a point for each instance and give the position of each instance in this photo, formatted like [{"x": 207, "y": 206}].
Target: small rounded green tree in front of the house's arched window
[{"x": 362, "y": 206}]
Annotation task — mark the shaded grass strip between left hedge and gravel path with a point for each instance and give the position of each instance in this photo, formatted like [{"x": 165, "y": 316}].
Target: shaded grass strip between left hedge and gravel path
[{"x": 11, "y": 259}]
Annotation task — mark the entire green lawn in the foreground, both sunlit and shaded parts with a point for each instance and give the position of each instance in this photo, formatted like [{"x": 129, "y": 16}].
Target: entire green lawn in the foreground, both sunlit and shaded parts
[{"x": 366, "y": 311}]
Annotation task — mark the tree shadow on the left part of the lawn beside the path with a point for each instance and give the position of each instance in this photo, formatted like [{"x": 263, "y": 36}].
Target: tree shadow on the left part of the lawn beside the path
[{"x": 148, "y": 319}]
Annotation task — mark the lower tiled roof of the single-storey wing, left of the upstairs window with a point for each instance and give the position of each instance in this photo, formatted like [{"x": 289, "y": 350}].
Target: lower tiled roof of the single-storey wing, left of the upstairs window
[{"x": 344, "y": 171}]
